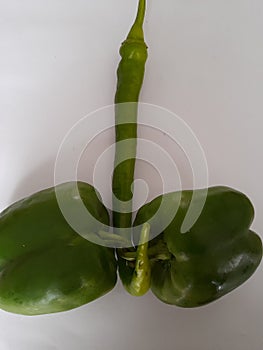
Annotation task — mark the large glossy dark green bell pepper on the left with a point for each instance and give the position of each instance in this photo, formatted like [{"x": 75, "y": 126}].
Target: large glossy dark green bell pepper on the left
[{"x": 45, "y": 265}]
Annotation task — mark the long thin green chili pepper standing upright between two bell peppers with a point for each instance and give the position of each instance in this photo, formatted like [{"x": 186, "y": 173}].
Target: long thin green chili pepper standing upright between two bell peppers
[{"x": 130, "y": 75}]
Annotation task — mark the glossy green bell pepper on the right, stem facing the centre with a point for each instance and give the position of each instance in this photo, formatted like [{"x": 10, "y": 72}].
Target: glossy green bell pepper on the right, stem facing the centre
[{"x": 217, "y": 255}]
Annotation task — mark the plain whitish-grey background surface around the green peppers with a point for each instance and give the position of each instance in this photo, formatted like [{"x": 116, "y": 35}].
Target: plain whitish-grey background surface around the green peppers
[{"x": 58, "y": 61}]
